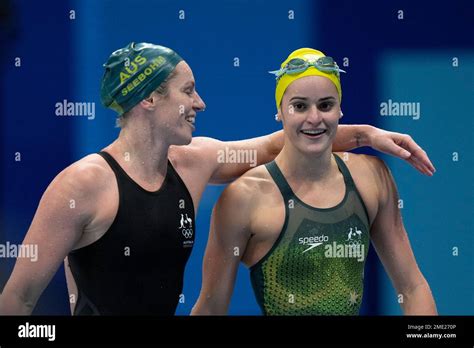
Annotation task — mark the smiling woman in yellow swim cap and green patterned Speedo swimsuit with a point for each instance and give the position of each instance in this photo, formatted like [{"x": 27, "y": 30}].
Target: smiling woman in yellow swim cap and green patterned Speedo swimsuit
[{"x": 305, "y": 220}]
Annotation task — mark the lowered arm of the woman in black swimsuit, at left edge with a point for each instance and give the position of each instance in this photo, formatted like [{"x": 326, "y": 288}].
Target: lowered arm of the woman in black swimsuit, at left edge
[{"x": 63, "y": 212}]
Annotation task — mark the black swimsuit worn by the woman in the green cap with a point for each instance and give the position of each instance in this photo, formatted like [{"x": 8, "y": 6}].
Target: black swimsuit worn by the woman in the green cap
[{"x": 137, "y": 267}]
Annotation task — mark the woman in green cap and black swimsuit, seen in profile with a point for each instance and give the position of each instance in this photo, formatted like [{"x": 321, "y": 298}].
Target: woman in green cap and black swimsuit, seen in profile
[{"x": 127, "y": 240}]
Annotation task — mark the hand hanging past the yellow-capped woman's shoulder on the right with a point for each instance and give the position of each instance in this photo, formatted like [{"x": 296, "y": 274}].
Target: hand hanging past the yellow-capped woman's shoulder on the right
[{"x": 400, "y": 145}]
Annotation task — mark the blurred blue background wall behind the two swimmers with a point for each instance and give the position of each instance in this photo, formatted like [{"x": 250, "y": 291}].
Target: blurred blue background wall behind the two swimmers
[{"x": 402, "y": 51}]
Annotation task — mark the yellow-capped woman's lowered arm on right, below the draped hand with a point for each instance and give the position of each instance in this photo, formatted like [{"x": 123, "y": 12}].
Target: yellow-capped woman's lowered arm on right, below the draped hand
[{"x": 391, "y": 242}]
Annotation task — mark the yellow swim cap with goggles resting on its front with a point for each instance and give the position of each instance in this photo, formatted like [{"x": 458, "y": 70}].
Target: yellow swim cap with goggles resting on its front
[{"x": 317, "y": 67}]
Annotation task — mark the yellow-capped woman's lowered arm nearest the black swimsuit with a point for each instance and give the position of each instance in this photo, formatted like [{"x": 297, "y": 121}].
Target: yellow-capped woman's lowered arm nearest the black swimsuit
[{"x": 228, "y": 237}]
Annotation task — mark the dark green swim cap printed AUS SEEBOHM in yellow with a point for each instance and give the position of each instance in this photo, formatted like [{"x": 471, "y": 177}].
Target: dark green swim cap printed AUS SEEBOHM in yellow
[{"x": 132, "y": 73}]
